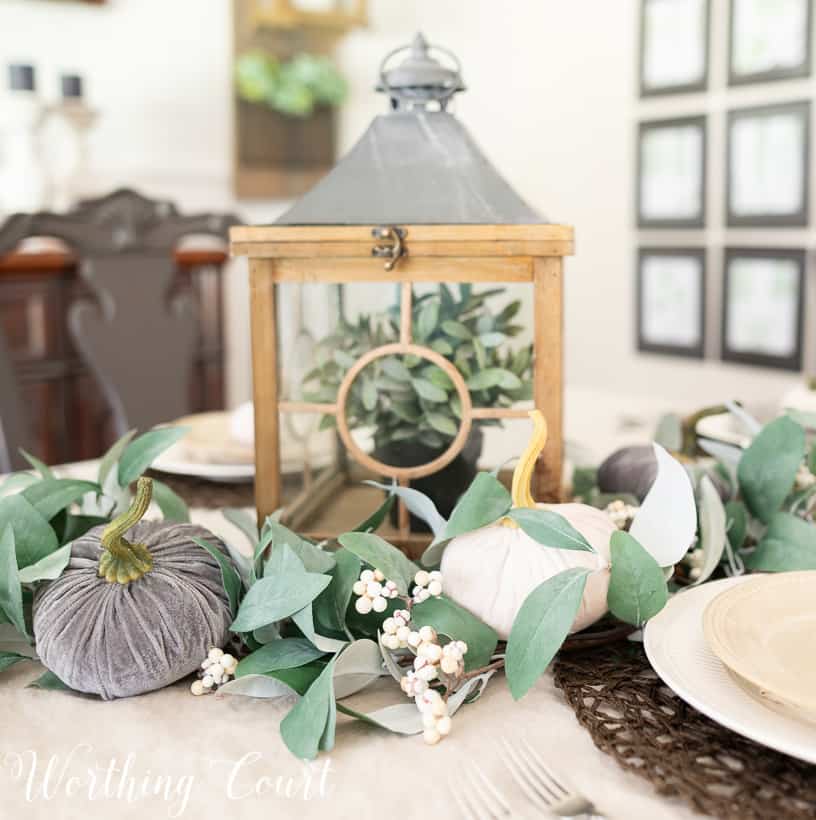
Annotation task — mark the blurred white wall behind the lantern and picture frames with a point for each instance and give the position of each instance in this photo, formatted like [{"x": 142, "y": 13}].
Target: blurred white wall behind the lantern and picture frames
[{"x": 551, "y": 99}]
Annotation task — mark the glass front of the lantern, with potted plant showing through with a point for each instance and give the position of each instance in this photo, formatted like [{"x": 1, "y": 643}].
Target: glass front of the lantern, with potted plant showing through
[{"x": 400, "y": 408}]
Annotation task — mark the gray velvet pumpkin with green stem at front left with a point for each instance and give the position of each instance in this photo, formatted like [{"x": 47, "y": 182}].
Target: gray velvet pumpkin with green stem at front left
[{"x": 152, "y": 626}]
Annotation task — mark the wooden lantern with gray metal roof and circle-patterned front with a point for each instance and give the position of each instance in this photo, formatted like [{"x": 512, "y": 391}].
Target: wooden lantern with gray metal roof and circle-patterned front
[{"x": 495, "y": 238}]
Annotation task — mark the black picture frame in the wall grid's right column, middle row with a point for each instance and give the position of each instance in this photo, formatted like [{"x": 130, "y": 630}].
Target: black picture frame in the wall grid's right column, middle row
[{"x": 796, "y": 219}]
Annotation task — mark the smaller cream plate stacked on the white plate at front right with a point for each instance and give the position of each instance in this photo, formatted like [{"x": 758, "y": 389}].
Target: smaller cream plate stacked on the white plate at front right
[{"x": 764, "y": 631}]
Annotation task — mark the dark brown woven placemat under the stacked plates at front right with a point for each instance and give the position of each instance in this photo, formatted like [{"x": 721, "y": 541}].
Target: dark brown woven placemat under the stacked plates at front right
[{"x": 649, "y": 730}]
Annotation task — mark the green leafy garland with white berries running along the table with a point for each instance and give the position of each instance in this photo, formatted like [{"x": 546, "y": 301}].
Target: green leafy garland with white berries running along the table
[{"x": 326, "y": 620}]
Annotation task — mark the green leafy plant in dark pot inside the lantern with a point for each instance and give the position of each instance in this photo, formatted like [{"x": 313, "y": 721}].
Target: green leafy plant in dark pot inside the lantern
[{"x": 410, "y": 404}]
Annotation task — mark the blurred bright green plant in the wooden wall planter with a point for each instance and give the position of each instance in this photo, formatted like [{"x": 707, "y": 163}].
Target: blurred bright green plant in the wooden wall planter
[{"x": 294, "y": 87}]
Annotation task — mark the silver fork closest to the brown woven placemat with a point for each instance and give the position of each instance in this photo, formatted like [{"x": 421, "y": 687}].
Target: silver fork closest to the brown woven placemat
[{"x": 542, "y": 787}]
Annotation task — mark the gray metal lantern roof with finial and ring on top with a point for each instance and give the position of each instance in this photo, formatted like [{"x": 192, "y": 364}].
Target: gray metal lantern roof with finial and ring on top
[{"x": 415, "y": 165}]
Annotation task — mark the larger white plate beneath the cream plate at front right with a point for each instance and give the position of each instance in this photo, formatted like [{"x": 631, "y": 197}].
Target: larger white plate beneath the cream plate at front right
[{"x": 677, "y": 649}]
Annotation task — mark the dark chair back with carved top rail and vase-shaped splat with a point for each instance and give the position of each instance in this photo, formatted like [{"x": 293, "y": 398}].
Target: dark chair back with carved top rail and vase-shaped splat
[{"x": 132, "y": 332}]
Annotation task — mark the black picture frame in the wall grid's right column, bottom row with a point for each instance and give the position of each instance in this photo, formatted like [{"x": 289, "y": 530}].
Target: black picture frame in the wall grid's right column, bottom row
[{"x": 794, "y": 360}]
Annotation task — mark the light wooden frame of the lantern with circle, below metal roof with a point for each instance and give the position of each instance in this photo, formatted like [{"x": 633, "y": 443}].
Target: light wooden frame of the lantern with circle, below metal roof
[{"x": 331, "y": 254}]
